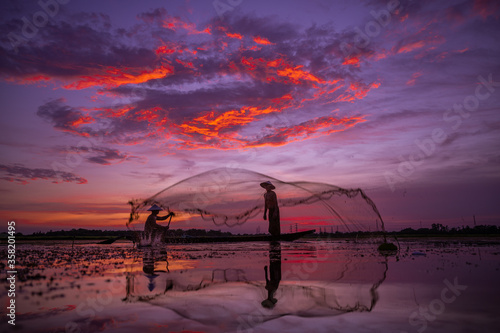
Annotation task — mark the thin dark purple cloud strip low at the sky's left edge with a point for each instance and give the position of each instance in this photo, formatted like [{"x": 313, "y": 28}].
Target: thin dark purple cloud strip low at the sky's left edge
[{"x": 21, "y": 174}]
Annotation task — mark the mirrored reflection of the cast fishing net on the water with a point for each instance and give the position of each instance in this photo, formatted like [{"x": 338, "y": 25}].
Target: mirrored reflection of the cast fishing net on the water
[{"x": 337, "y": 279}]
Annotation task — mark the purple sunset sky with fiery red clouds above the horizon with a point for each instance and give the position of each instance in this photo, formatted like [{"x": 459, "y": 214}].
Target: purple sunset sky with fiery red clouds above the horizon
[{"x": 107, "y": 101}]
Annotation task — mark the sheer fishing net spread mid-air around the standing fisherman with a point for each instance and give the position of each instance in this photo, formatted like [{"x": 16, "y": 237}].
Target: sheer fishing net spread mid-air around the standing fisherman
[{"x": 228, "y": 196}]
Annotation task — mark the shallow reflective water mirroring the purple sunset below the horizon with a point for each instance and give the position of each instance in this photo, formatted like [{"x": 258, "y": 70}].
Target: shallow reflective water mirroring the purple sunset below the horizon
[{"x": 312, "y": 286}]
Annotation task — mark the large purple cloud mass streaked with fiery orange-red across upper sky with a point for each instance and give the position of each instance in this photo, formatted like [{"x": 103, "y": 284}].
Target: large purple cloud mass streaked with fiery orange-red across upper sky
[{"x": 192, "y": 86}]
